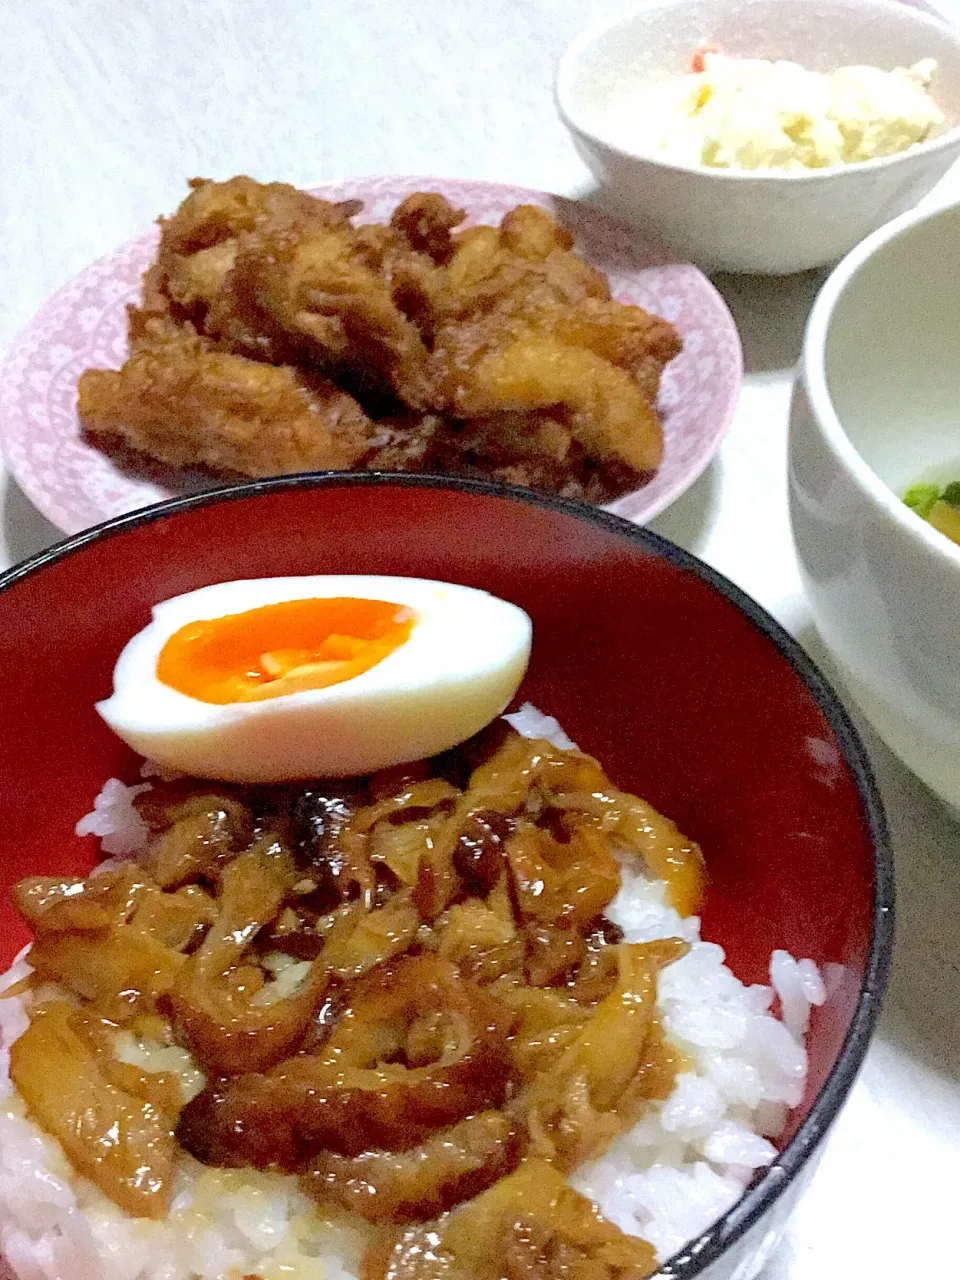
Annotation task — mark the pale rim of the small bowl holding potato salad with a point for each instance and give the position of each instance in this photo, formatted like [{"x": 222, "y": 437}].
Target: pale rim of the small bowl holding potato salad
[{"x": 569, "y": 109}]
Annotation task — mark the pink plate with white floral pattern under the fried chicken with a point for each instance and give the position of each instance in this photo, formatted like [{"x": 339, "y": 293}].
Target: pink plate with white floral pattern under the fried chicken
[{"x": 84, "y": 326}]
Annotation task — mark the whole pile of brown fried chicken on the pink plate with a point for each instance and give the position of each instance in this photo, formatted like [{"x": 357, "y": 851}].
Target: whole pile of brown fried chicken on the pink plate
[{"x": 277, "y": 336}]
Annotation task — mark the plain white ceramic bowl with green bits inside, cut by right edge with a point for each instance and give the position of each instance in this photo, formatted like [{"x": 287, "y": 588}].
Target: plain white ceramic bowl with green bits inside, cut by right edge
[{"x": 877, "y": 408}]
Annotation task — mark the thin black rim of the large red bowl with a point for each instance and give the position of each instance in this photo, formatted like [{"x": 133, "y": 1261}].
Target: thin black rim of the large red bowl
[{"x": 760, "y": 1199}]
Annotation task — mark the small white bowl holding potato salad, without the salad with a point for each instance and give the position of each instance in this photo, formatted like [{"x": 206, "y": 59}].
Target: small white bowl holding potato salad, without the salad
[{"x": 756, "y": 221}]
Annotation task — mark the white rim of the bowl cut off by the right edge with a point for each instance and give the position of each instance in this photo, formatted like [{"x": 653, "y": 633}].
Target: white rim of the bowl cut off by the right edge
[{"x": 813, "y": 374}]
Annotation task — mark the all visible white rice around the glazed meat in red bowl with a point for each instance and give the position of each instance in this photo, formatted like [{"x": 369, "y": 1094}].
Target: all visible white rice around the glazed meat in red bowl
[{"x": 668, "y": 1180}]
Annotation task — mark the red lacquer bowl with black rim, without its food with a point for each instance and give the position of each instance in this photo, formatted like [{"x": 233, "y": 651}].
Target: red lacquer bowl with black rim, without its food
[{"x": 685, "y": 689}]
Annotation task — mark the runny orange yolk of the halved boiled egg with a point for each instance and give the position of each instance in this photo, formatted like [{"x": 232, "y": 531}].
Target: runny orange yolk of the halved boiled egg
[{"x": 282, "y": 648}]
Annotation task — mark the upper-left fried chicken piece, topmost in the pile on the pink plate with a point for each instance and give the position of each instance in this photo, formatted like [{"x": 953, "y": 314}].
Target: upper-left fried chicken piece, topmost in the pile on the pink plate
[{"x": 282, "y": 277}]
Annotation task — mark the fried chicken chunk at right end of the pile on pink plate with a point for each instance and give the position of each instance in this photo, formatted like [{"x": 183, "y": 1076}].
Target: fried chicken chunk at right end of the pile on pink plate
[{"x": 523, "y": 326}]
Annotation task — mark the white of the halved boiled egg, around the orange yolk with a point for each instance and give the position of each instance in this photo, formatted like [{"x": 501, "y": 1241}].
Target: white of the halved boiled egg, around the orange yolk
[{"x": 458, "y": 671}]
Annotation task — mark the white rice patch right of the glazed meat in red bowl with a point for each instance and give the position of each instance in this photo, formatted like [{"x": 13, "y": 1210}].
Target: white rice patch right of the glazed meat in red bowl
[{"x": 691, "y": 1159}]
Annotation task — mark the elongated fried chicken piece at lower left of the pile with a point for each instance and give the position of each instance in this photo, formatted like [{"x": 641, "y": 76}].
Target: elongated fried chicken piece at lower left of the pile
[{"x": 186, "y": 405}]
